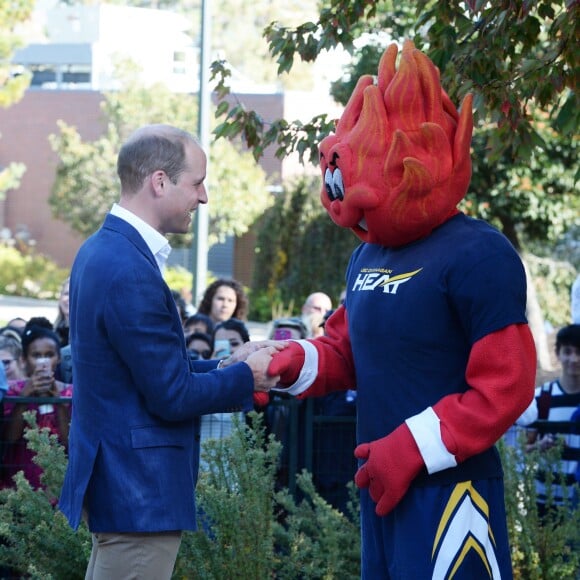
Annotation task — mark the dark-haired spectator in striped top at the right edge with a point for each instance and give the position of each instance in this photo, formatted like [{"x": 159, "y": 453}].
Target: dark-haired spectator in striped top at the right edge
[{"x": 557, "y": 400}]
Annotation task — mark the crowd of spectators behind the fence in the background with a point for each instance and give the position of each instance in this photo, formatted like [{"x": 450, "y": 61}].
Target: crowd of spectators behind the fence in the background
[{"x": 36, "y": 374}]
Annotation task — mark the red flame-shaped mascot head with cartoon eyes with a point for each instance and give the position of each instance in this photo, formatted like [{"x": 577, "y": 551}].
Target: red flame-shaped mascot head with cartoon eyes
[{"x": 399, "y": 161}]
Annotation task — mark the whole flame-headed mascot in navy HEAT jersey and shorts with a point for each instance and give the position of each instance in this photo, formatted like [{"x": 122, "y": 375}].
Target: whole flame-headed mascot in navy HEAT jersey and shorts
[{"x": 433, "y": 331}]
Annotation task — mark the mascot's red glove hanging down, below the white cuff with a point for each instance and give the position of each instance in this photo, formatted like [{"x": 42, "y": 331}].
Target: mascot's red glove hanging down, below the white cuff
[{"x": 392, "y": 464}]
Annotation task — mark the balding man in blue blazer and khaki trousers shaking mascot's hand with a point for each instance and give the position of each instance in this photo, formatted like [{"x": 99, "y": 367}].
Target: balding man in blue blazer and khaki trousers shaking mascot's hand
[{"x": 134, "y": 437}]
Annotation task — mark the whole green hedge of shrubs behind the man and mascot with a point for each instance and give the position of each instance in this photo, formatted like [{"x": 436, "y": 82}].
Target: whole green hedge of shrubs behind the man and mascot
[{"x": 256, "y": 532}]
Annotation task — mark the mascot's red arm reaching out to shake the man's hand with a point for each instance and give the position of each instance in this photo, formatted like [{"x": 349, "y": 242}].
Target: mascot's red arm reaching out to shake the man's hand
[{"x": 316, "y": 367}]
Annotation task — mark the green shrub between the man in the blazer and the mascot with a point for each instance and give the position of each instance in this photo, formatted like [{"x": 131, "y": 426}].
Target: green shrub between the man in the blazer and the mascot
[{"x": 253, "y": 532}]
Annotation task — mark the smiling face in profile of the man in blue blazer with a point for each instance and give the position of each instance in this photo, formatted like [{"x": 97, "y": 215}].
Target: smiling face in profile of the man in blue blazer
[{"x": 182, "y": 198}]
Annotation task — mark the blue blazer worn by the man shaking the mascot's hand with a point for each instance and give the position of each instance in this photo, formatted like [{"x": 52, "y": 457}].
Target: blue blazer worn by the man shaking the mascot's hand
[{"x": 134, "y": 437}]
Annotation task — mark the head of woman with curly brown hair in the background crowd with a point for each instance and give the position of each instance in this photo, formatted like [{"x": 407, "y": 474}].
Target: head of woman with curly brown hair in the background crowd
[{"x": 223, "y": 299}]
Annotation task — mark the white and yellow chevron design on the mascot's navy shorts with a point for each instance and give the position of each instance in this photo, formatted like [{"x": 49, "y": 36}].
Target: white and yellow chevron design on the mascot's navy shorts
[{"x": 464, "y": 526}]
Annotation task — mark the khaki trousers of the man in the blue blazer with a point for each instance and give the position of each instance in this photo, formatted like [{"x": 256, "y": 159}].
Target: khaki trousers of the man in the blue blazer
[{"x": 142, "y": 556}]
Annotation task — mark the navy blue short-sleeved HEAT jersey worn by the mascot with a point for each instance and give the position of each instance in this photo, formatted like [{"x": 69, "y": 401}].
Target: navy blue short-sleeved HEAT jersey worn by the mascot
[{"x": 414, "y": 313}]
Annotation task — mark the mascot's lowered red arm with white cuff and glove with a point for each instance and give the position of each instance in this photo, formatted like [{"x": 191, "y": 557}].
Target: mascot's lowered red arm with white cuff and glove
[{"x": 501, "y": 373}]
